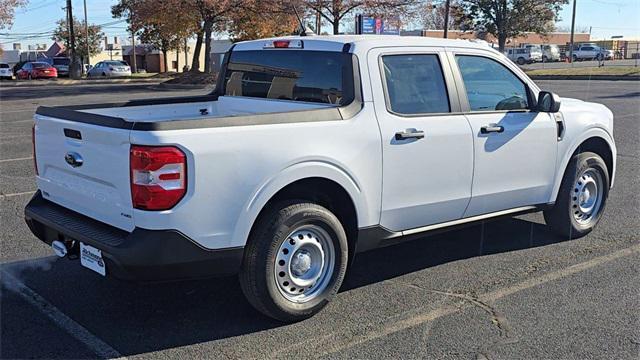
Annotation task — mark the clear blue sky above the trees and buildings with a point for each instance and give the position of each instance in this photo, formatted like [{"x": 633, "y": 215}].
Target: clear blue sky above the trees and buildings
[{"x": 605, "y": 17}]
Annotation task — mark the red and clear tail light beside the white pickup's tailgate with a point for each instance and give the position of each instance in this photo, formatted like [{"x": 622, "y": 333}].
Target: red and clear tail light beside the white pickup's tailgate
[{"x": 158, "y": 176}]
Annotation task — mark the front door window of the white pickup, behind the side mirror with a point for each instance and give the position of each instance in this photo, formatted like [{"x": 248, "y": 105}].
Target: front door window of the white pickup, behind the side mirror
[{"x": 490, "y": 85}]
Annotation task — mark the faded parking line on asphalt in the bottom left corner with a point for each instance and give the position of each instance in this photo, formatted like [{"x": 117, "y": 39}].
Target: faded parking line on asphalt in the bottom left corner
[{"x": 92, "y": 342}]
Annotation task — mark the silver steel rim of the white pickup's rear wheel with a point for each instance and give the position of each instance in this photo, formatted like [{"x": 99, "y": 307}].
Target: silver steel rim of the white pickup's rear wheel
[{"x": 304, "y": 263}]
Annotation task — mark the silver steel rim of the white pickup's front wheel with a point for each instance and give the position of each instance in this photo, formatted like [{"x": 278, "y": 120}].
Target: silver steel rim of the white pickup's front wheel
[{"x": 586, "y": 196}]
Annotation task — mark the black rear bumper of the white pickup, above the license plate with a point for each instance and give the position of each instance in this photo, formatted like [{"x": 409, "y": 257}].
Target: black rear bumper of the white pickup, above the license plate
[{"x": 142, "y": 255}]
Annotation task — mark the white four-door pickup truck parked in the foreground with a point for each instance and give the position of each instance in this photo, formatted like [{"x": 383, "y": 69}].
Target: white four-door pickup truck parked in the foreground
[{"x": 310, "y": 150}]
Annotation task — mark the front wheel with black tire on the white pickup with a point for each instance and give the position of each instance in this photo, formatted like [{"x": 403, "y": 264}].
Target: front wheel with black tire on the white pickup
[{"x": 582, "y": 197}]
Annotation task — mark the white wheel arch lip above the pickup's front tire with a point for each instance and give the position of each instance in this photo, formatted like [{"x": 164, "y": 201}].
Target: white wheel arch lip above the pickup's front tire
[{"x": 595, "y": 140}]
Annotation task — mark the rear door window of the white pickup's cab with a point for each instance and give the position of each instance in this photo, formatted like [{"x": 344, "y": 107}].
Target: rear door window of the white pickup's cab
[{"x": 415, "y": 84}]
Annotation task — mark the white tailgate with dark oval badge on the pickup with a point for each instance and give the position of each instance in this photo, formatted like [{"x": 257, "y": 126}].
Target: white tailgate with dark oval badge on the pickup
[{"x": 85, "y": 168}]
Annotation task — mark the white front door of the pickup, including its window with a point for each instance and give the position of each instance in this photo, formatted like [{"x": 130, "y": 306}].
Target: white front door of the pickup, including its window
[{"x": 515, "y": 147}]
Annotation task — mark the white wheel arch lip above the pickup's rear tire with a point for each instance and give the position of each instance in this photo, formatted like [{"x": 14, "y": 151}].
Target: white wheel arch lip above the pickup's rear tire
[{"x": 289, "y": 175}]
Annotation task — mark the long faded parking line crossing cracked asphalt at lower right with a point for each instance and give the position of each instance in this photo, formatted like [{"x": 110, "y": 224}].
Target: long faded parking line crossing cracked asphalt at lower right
[{"x": 340, "y": 342}]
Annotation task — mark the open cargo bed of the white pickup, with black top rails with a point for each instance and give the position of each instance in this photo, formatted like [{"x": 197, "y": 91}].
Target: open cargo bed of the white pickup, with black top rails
[{"x": 196, "y": 112}]
